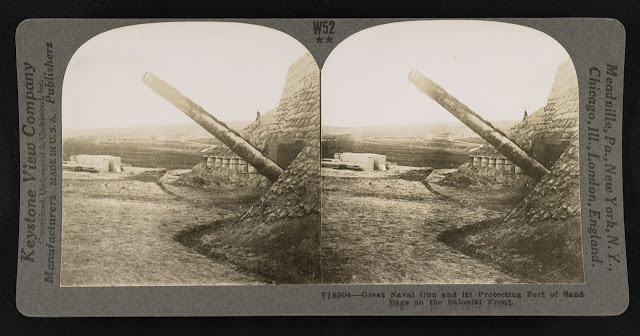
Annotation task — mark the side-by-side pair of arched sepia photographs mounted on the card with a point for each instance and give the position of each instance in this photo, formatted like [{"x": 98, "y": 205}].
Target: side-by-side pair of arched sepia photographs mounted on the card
[{"x": 195, "y": 154}]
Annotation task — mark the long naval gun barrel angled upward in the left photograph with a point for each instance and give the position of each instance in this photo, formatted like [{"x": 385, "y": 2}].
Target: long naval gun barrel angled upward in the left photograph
[{"x": 231, "y": 139}]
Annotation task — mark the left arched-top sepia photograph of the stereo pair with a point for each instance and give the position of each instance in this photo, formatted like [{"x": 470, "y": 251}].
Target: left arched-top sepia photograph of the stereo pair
[{"x": 191, "y": 158}]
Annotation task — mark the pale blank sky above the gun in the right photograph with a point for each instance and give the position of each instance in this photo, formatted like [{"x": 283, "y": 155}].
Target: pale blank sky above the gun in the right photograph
[{"x": 496, "y": 69}]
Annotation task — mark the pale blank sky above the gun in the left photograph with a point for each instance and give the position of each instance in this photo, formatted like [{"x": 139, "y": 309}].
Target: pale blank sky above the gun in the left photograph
[{"x": 229, "y": 69}]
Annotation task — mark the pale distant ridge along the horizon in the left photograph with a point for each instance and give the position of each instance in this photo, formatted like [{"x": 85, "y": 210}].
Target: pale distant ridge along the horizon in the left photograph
[{"x": 191, "y": 130}]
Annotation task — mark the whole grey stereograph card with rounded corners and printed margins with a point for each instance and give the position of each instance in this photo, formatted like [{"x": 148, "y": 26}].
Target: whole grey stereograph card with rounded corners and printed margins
[{"x": 321, "y": 167}]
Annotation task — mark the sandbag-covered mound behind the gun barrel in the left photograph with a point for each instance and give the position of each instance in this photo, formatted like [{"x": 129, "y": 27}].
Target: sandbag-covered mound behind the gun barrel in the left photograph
[{"x": 279, "y": 237}]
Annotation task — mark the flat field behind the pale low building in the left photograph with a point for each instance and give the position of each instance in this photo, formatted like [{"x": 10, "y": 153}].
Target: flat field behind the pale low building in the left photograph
[{"x": 169, "y": 154}]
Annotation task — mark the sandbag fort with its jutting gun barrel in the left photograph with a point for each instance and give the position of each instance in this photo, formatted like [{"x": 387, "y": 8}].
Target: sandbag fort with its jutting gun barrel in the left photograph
[{"x": 279, "y": 236}]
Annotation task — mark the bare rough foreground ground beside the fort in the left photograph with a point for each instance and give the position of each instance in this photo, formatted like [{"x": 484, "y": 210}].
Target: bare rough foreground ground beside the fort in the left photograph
[{"x": 119, "y": 232}]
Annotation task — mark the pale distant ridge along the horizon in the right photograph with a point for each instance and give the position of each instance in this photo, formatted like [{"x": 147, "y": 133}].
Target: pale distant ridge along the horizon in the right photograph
[{"x": 450, "y": 129}]
